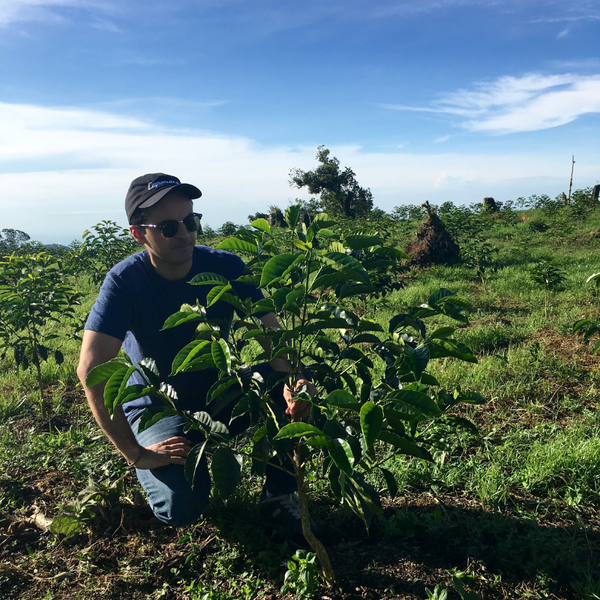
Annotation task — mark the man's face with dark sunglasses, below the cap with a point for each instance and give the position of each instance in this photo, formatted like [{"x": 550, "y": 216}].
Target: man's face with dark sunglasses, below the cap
[{"x": 168, "y": 254}]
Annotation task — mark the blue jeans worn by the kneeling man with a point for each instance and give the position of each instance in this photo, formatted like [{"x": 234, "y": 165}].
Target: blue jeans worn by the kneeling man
[{"x": 171, "y": 497}]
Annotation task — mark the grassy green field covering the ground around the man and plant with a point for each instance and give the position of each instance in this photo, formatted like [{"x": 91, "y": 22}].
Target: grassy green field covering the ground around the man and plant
[{"x": 512, "y": 513}]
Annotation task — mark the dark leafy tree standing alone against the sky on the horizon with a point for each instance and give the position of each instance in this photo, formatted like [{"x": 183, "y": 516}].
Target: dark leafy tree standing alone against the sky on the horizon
[{"x": 340, "y": 194}]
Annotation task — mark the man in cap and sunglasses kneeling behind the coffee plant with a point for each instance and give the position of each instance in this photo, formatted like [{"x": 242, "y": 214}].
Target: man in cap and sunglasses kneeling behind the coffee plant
[{"x": 136, "y": 298}]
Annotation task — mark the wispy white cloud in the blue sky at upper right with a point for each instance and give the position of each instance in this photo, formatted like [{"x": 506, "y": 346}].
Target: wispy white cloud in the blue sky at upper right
[{"x": 516, "y": 104}]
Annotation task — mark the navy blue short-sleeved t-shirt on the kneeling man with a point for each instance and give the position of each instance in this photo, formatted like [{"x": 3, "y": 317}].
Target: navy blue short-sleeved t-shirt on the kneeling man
[{"x": 135, "y": 301}]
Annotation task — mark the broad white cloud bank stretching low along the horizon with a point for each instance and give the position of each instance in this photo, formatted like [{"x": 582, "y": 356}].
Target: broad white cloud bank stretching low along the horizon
[{"x": 63, "y": 170}]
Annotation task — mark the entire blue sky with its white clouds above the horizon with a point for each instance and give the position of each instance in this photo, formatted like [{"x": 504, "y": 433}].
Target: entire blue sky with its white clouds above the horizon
[{"x": 433, "y": 100}]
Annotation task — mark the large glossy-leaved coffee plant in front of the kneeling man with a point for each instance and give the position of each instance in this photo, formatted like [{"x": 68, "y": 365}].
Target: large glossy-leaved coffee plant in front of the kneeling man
[{"x": 376, "y": 397}]
